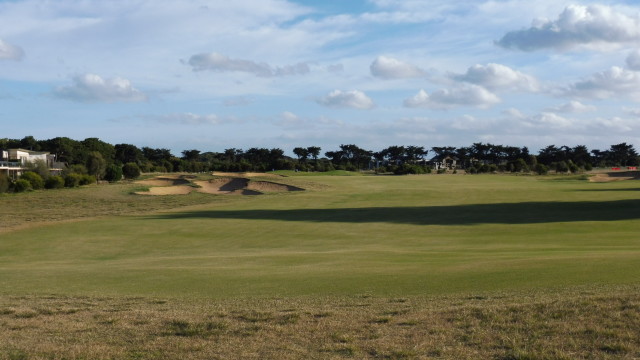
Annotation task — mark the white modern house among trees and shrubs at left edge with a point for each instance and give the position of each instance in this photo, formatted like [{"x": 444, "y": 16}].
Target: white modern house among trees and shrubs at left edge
[{"x": 14, "y": 162}]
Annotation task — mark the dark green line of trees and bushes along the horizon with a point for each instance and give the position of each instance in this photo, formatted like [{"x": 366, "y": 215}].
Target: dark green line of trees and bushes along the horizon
[{"x": 92, "y": 159}]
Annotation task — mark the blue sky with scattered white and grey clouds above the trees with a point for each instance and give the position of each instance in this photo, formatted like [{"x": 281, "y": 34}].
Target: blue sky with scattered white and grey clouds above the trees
[{"x": 212, "y": 75}]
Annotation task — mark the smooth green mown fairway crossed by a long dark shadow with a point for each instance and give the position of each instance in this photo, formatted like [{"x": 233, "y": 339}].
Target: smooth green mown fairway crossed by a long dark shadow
[{"x": 386, "y": 236}]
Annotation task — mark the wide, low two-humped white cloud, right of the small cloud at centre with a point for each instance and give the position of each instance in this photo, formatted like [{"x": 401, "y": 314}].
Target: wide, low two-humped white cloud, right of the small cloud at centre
[{"x": 471, "y": 95}]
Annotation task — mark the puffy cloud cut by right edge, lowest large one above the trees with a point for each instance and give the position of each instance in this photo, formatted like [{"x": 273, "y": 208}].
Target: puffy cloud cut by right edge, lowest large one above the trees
[{"x": 615, "y": 82}]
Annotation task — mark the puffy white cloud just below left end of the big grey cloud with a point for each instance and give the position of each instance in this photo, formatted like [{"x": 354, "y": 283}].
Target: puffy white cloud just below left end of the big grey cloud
[{"x": 498, "y": 77}]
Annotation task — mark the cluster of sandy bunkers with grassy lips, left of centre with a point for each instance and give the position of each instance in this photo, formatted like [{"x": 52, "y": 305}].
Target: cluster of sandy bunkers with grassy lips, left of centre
[{"x": 225, "y": 185}]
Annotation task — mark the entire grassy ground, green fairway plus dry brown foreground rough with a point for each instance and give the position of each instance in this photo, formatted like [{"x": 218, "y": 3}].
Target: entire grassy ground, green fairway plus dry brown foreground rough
[{"x": 437, "y": 266}]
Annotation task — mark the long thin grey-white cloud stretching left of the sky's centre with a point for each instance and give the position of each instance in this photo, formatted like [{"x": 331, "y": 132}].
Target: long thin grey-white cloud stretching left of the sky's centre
[{"x": 222, "y": 63}]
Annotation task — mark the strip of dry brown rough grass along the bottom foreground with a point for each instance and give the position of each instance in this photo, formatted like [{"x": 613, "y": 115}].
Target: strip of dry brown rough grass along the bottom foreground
[{"x": 570, "y": 324}]
